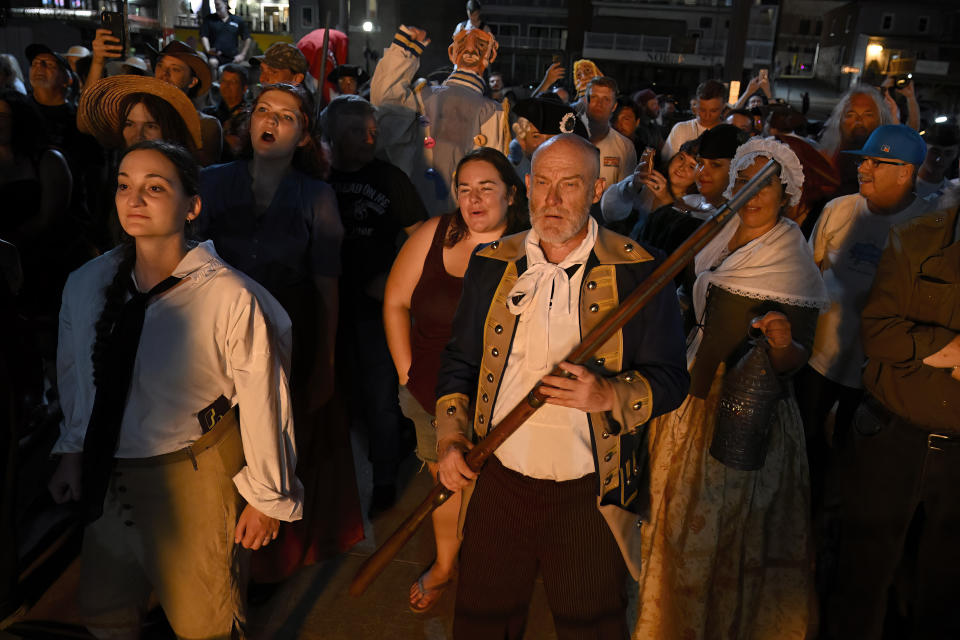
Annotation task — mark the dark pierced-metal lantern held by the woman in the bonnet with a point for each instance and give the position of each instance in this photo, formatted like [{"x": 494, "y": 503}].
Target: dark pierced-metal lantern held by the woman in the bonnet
[{"x": 749, "y": 398}]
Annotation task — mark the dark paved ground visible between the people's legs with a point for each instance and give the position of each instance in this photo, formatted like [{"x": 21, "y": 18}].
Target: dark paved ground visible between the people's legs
[{"x": 314, "y": 603}]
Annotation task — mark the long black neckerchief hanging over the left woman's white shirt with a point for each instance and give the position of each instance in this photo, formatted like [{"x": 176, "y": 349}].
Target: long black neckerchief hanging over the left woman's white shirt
[{"x": 113, "y": 385}]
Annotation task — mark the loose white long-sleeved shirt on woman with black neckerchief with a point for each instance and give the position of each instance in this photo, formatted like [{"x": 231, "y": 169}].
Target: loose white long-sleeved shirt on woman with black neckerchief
[{"x": 216, "y": 333}]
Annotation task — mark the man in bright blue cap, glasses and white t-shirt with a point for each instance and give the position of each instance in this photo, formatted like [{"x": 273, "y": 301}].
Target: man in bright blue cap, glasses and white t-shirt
[{"x": 847, "y": 242}]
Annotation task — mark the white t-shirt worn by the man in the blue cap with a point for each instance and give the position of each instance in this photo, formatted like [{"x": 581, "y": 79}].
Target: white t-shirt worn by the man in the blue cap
[{"x": 847, "y": 243}]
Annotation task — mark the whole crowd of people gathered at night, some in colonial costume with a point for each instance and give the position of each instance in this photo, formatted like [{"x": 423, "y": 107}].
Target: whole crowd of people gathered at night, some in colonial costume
[{"x": 213, "y": 268}]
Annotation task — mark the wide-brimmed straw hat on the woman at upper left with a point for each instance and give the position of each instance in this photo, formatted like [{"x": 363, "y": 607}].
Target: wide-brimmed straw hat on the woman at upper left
[{"x": 98, "y": 112}]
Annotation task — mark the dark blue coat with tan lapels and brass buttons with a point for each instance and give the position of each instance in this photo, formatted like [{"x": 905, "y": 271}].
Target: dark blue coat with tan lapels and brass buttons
[{"x": 645, "y": 362}]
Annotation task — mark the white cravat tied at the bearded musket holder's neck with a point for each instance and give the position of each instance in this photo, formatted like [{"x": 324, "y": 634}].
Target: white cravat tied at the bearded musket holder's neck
[{"x": 543, "y": 291}]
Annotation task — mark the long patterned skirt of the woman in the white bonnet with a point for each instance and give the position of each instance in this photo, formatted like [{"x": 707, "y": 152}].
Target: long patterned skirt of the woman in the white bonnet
[{"x": 728, "y": 553}]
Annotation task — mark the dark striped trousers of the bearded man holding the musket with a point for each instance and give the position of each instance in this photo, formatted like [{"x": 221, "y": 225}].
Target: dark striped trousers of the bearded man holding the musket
[{"x": 516, "y": 527}]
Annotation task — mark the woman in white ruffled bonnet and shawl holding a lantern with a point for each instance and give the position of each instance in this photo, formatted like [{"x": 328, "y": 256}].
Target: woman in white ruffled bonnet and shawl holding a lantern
[{"x": 727, "y": 553}]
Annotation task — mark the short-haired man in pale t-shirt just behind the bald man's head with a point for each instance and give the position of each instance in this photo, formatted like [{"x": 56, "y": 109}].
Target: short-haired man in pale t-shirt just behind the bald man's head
[{"x": 618, "y": 156}]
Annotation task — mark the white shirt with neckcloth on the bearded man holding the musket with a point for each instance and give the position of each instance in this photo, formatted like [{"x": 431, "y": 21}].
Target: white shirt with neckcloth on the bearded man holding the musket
[{"x": 554, "y": 443}]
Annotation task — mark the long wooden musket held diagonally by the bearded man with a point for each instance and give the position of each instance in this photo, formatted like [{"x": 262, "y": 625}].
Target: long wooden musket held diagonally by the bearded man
[{"x": 581, "y": 354}]
